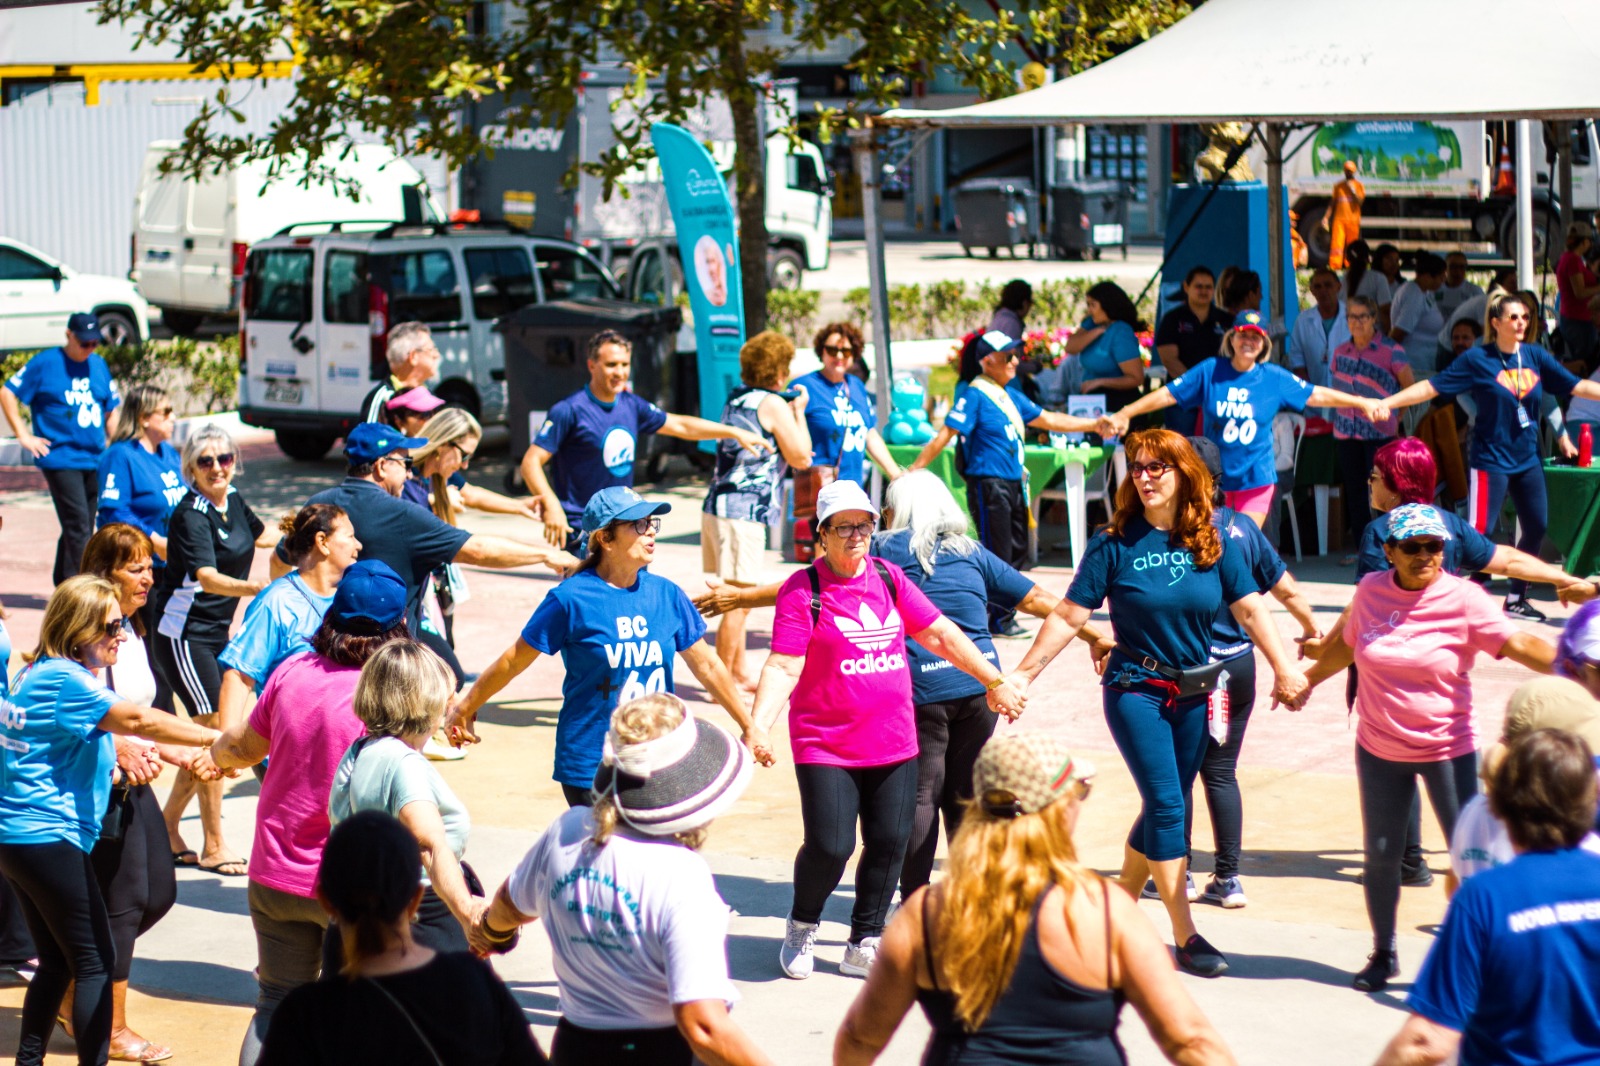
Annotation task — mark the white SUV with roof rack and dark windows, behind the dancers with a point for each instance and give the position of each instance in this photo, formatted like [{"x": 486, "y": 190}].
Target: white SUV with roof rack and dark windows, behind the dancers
[{"x": 318, "y": 310}]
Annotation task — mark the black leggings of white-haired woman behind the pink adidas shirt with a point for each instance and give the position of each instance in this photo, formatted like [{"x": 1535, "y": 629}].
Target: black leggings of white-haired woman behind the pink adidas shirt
[{"x": 950, "y": 737}]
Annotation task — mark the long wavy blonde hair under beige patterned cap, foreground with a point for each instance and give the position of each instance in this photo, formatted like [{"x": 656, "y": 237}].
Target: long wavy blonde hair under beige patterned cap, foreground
[{"x": 998, "y": 872}]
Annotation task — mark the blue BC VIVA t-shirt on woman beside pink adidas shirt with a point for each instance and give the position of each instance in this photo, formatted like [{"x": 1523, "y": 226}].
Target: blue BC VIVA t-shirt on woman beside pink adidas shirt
[{"x": 617, "y": 646}]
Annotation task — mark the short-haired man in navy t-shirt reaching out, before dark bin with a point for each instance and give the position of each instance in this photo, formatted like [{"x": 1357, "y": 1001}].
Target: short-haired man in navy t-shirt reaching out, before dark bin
[{"x": 593, "y": 438}]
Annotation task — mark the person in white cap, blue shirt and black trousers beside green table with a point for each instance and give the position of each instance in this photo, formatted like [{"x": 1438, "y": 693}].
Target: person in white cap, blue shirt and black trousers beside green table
[{"x": 993, "y": 419}]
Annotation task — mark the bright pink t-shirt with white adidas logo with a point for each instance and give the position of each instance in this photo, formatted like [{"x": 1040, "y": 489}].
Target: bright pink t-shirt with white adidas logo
[{"x": 852, "y": 707}]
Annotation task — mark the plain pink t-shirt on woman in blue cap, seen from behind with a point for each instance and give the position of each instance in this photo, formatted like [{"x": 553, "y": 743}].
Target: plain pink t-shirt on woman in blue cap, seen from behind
[{"x": 306, "y": 715}]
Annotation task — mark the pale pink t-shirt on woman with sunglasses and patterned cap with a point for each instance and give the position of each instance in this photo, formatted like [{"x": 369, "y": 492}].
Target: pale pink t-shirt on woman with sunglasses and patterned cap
[{"x": 1414, "y": 652}]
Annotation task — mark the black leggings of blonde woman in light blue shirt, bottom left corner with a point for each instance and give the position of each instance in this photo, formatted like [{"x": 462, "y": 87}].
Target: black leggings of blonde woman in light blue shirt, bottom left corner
[{"x": 55, "y": 884}]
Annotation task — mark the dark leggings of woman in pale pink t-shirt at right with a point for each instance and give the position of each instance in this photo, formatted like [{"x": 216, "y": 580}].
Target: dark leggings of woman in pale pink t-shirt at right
[{"x": 1388, "y": 791}]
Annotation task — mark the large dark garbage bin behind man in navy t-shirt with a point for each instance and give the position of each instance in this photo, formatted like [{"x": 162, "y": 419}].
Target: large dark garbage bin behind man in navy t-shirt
[{"x": 546, "y": 356}]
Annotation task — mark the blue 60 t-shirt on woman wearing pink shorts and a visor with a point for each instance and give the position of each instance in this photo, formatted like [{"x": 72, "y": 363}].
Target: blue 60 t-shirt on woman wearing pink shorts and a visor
[{"x": 1239, "y": 411}]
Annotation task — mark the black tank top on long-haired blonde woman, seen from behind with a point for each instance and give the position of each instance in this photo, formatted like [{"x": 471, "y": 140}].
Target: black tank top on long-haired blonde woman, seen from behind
[{"x": 1042, "y": 1019}]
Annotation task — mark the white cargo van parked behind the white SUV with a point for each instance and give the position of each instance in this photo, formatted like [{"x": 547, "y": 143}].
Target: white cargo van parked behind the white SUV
[{"x": 191, "y": 238}]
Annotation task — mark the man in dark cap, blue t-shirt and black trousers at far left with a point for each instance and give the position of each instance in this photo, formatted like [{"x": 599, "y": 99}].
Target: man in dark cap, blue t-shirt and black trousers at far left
[{"x": 73, "y": 401}]
